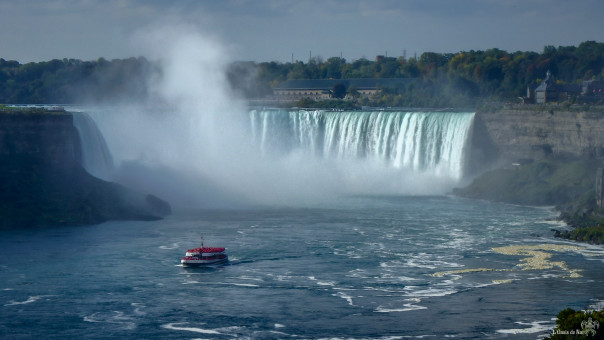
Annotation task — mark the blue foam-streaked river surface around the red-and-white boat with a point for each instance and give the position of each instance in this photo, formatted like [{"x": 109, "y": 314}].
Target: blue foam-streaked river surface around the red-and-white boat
[{"x": 381, "y": 267}]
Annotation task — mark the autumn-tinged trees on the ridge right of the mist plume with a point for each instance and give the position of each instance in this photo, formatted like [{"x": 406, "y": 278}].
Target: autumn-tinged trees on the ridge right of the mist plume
[{"x": 462, "y": 78}]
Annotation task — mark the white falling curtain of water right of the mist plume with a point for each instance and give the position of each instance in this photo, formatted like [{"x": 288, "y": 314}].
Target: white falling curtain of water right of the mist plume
[{"x": 423, "y": 142}]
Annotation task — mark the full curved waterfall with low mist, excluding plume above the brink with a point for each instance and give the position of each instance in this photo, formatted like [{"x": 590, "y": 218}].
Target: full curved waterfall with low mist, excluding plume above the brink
[{"x": 278, "y": 156}]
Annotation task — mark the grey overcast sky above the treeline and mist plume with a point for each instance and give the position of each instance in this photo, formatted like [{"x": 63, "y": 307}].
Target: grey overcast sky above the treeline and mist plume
[{"x": 282, "y": 30}]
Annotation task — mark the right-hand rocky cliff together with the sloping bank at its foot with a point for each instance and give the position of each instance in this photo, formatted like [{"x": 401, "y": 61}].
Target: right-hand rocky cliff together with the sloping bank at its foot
[{"x": 556, "y": 153}]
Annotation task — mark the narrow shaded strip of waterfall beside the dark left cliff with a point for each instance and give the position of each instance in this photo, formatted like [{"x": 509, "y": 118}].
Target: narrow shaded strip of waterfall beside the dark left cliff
[{"x": 95, "y": 158}]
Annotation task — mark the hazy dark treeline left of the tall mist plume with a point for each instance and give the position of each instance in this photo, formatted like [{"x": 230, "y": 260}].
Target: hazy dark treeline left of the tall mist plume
[{"x": 74, "y": 81}]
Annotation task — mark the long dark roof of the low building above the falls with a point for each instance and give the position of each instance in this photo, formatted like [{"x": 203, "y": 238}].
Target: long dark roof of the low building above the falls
[{"x": 359, "y": 83}]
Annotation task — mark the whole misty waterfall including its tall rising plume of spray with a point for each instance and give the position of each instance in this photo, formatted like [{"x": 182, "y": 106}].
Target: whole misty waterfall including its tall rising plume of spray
[{"x": 201, "y": 146}]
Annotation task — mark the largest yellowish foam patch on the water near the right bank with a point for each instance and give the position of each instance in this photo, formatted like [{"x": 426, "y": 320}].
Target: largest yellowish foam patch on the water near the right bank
[{"x": 538, "y": 256}]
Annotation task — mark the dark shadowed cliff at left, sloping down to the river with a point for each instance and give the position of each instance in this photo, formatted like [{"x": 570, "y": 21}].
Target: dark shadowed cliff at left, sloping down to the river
[{"x": 43, "y": 183}]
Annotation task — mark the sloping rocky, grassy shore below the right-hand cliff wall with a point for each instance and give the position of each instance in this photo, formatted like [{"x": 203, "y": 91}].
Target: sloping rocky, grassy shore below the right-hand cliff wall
[{"x": 567, "y": 184}]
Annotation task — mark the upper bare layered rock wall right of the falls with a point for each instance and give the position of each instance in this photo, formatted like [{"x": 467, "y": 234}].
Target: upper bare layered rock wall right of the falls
[{"x": 517, "y": 134}]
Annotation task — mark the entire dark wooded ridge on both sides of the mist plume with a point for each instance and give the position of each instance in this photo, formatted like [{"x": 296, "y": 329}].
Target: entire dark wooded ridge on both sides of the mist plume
[{"x": 444, "y": 79}]
